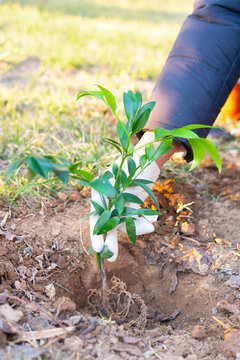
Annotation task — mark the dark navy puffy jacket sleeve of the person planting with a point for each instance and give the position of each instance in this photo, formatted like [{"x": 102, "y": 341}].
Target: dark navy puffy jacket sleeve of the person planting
[{"x": 201, "y": 70}]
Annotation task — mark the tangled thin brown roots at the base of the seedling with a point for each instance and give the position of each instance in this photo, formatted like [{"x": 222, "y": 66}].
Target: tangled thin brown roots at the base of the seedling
[{"x": 122, "y": 305}]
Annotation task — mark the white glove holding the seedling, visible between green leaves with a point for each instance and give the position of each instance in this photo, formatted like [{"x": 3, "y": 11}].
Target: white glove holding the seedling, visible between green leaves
[{"x": 143, "y": 224}]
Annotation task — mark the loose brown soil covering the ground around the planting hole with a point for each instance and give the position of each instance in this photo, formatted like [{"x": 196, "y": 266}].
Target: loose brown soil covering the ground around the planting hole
[{"x": 176, "y": 292}]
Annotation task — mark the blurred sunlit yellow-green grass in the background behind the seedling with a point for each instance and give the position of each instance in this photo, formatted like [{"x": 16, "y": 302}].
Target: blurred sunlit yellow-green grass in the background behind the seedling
[{"x": 120, "y": 44}]
